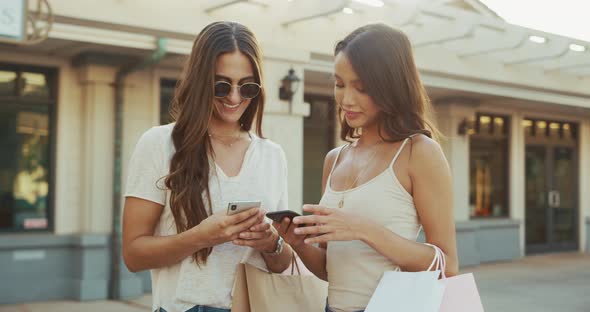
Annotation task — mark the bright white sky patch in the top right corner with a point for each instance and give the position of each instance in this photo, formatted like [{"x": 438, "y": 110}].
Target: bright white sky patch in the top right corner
[{"x": 570, "y": 18}]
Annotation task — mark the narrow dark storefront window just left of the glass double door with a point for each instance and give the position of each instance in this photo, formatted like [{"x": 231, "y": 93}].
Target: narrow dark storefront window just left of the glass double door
[{"x": 488, "y": 148}]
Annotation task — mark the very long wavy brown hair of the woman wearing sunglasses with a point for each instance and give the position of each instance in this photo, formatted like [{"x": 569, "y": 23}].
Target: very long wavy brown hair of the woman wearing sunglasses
[{"x": 193, "y": 108}]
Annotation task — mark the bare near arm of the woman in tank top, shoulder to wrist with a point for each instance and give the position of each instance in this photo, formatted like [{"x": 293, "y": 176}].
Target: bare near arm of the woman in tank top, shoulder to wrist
[{"x": 432, "y": 193}]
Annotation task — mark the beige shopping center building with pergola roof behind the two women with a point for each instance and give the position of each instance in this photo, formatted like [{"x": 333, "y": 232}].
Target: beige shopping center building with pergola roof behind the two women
[{"x": 515, "y": 113}]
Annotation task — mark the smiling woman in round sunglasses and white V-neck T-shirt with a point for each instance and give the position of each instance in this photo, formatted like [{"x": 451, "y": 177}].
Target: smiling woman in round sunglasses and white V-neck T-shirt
[{"x": 182, "y": 176}]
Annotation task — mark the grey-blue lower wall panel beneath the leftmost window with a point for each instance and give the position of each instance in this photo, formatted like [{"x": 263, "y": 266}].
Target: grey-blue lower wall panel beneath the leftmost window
[{"x": 50, "y": 267}]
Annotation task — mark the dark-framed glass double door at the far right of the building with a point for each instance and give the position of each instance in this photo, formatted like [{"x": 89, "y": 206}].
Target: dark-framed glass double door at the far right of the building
[{"x": 551, "y": 172}]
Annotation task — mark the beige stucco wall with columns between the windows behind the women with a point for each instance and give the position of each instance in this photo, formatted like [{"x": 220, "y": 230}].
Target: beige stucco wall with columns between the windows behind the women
[{"x": 84, "y": 159}]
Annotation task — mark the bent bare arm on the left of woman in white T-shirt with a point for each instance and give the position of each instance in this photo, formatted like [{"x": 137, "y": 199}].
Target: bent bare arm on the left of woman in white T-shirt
[{"x": 142, "y": 250}]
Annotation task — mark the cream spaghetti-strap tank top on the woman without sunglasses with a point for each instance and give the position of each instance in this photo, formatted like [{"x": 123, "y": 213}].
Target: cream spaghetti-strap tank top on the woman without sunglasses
[{"x": 354, "y": 268}]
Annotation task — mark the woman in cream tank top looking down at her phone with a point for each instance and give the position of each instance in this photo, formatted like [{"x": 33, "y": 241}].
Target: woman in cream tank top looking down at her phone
[{"x": 388, "y": 182}]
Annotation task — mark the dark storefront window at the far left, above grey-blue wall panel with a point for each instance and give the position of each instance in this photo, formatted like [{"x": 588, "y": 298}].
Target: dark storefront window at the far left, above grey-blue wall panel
[{"x": 25, "y": 145}]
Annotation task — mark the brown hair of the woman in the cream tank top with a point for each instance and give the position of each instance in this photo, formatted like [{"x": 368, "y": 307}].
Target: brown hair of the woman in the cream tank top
[{"x": 382, "y": 58}]
